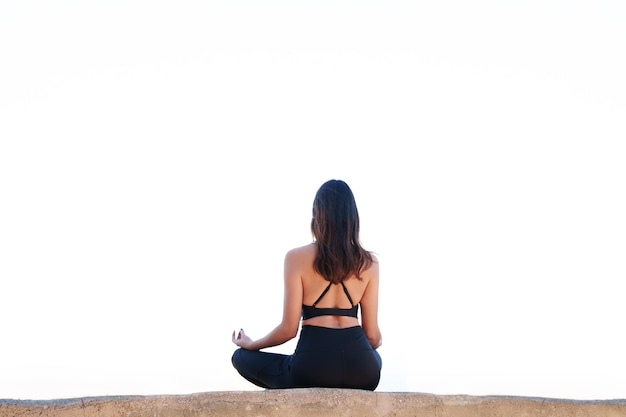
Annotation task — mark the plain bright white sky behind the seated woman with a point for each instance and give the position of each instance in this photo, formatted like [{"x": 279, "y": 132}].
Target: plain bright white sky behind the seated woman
[{"x": 157, "y": 160}]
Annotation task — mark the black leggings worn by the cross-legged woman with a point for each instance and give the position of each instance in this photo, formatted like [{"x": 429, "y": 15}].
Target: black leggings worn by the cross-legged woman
[{"x": 324, "y": 357}]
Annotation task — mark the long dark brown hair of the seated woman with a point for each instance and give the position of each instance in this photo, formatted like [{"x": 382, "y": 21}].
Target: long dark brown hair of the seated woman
[{"x": 335, "y": 227}]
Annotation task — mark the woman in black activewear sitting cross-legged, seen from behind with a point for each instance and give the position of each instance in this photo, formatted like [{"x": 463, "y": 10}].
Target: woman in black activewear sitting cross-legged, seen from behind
[{"x": 325, "y": 282}]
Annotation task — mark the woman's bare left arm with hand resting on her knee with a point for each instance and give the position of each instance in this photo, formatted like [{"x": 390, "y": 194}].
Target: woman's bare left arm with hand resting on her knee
[{"x": 292, "y": 309}]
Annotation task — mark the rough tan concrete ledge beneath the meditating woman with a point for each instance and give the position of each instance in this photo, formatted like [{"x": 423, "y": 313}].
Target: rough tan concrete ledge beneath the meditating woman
[{"x": 316, "y": 402}]
